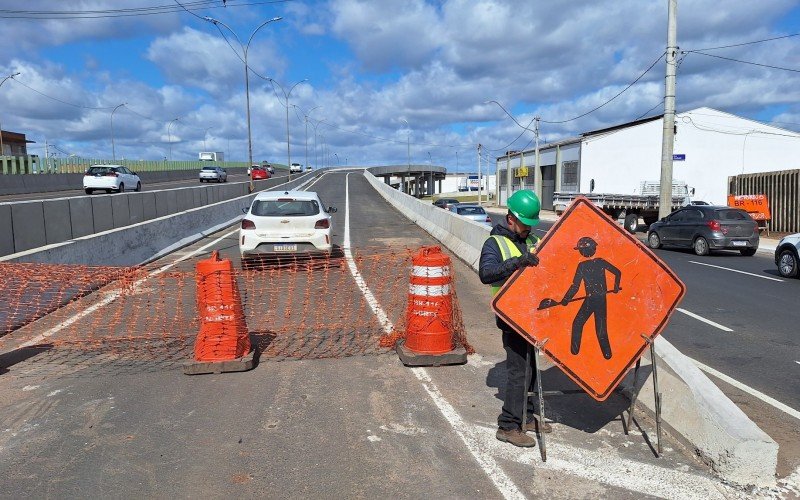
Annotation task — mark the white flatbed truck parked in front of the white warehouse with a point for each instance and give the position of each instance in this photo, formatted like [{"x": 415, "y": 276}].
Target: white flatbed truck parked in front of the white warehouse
[{"x": 630, "y": 206}]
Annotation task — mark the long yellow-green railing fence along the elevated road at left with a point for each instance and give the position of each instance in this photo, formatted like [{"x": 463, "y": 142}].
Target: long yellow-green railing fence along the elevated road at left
[{"x": 36, "y": 165}]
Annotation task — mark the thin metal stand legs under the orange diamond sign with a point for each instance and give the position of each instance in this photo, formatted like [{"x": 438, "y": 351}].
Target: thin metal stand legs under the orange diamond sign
[{"x": 540, "y": 417}]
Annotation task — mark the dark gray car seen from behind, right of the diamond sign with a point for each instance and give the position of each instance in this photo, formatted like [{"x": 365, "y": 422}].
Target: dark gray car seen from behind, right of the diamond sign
[{"x": 705, "y": 228}]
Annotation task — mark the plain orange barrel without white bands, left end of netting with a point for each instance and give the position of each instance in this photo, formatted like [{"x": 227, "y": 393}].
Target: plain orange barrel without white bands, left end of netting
[{"x": 223, "y": 342}]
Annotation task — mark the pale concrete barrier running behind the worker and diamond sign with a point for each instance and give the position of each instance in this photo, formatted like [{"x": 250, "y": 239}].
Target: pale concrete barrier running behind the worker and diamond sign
[{"x": 694, "y": 409}]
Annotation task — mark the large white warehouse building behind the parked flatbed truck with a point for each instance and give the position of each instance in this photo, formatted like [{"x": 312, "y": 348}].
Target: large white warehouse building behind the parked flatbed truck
[{"x": 710, "y": 146}]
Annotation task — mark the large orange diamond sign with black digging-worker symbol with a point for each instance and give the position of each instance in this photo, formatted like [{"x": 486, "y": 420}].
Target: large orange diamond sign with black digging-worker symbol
[{"x": 595, "y": 296}]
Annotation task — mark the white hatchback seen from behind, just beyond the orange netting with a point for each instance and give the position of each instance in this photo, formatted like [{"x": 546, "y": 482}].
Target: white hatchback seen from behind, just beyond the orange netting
[{"x": 285, "y": 223}]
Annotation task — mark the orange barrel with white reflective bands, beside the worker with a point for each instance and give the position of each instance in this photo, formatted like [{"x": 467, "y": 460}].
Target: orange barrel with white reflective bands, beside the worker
[{"x": 429, "y": 315}]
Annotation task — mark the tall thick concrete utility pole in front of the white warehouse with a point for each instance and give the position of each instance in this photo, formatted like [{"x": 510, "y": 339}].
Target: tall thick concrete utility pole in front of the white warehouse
[{"x": 668, "y": 133}]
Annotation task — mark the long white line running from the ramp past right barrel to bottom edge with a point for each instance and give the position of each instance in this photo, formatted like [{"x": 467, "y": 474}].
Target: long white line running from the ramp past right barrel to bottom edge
[{"x": 502, "y": 482}]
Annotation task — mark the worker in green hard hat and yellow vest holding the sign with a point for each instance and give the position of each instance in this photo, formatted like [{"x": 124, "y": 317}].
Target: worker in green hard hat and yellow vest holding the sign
[{"x": 508, "y": 248}]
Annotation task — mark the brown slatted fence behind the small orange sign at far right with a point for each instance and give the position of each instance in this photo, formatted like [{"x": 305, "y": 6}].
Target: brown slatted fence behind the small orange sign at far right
[{"x": 783, "y": 193}]
